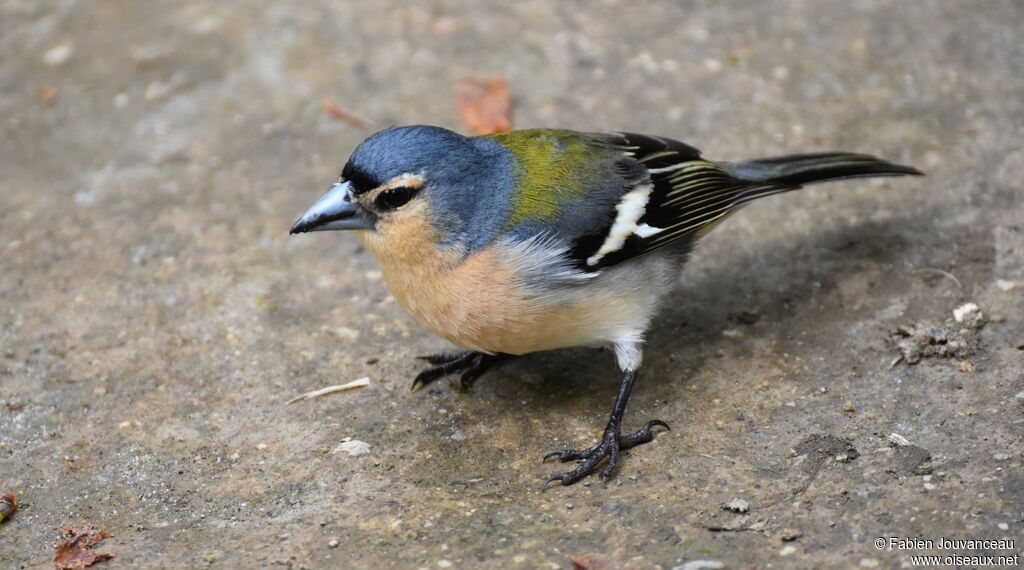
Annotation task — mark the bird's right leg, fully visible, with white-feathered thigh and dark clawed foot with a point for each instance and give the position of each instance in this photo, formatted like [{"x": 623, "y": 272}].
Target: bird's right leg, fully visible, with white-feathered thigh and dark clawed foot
[{"x": 612, "y": 441}]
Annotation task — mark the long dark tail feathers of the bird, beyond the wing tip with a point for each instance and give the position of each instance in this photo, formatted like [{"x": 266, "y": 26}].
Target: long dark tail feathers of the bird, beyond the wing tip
[{"x": 794, "y": 171}]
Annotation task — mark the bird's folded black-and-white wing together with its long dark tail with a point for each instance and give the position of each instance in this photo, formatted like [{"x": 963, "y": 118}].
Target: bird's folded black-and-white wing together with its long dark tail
[{"x": 672, "y": 196}]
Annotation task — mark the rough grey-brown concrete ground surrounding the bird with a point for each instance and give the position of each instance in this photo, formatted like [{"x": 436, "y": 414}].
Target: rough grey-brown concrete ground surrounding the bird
[{"x": 155, "y": 315}]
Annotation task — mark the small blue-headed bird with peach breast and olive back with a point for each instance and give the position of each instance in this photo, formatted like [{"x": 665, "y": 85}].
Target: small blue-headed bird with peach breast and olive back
[{"x": 542, "y": 239}]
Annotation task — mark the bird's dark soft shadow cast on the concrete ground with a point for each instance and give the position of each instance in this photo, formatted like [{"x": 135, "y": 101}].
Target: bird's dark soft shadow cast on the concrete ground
[{"x": 694, "y": 317}]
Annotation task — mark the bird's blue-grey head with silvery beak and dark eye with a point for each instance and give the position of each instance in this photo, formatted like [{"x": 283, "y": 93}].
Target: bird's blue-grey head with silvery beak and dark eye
[{"x": 460, "y": 185}]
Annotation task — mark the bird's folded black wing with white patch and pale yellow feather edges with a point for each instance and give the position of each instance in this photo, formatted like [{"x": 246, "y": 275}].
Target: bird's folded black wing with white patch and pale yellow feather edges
[{"x": 670, "y": 195}]
